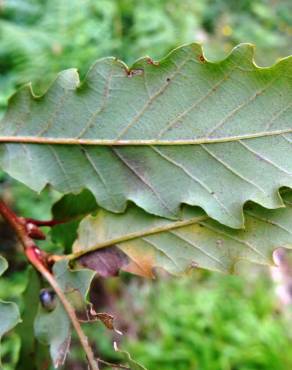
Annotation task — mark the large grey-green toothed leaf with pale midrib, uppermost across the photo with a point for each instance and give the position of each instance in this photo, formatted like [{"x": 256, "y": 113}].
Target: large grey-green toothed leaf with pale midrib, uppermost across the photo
[{"x": 184, "y": 130}]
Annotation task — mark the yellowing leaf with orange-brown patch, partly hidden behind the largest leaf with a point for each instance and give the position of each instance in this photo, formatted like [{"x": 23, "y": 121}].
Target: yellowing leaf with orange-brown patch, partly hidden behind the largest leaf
[{"x": 178, "y": 246}]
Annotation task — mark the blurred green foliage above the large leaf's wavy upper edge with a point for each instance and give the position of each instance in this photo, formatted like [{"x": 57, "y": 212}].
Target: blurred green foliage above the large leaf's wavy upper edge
[{"x": 38, "y": 38}]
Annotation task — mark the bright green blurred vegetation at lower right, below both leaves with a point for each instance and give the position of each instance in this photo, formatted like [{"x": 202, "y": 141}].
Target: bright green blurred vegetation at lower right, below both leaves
[{"x": 215, "y": 323}]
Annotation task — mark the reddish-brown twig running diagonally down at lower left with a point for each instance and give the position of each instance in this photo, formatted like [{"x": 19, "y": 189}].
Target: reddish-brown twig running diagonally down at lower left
[{"x": 41, "y": 262}]
